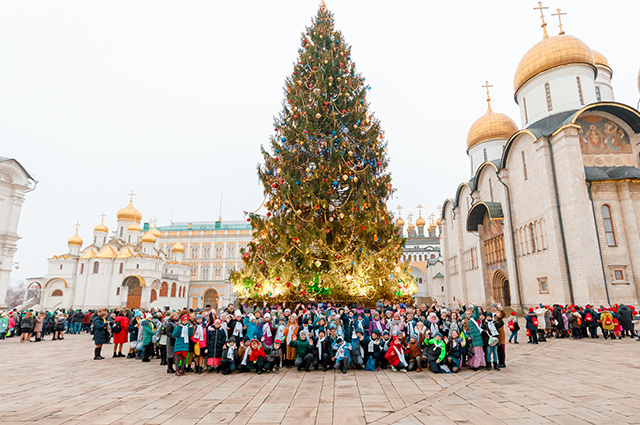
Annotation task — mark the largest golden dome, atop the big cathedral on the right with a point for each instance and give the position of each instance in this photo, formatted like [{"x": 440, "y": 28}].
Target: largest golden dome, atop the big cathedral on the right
[{"x": 552, "y": 53}]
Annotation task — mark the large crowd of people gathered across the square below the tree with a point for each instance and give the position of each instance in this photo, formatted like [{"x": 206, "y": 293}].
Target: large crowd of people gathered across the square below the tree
[{"x": 323, "y": 336}]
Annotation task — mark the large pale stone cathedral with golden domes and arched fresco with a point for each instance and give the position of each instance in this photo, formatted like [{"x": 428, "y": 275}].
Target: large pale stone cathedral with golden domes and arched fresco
[{"x": 551, "y": 213}]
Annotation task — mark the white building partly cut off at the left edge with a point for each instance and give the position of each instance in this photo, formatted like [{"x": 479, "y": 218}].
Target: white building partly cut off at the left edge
[{"x": 15, "y": 182}]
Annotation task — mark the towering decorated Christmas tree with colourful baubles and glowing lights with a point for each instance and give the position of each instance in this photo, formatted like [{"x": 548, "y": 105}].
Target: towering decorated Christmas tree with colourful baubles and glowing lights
[{"x": 327, "y": 233}]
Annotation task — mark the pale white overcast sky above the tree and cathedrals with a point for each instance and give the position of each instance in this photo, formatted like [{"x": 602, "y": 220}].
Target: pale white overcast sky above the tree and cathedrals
[{"x": 173, "y": 99}]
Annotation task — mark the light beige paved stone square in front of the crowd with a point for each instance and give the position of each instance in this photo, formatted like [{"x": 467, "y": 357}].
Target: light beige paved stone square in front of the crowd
[{"x": 562, "y": 381}]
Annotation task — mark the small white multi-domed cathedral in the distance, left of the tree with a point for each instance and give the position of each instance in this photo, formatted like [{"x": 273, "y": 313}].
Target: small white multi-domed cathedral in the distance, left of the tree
[{"x": 128, "y": 269}]
